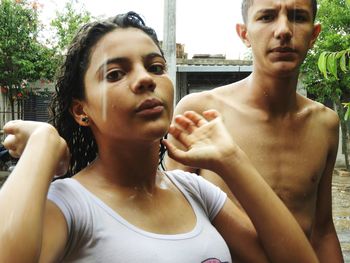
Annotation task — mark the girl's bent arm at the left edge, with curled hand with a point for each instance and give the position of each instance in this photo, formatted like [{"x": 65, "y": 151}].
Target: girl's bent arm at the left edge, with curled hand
[{"x": 25, "y": 212}]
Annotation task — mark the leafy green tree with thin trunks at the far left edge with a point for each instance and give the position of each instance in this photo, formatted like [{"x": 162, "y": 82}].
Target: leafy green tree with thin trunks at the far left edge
[{"x": 21, "y": 55}]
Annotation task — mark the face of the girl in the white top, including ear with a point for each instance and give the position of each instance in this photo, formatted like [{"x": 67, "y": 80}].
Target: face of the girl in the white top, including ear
[{"x": 129, "y": 95}]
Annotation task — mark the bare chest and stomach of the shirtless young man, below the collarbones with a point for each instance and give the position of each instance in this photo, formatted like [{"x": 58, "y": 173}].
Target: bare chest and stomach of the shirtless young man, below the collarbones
[{"x": 290, "y": 154}]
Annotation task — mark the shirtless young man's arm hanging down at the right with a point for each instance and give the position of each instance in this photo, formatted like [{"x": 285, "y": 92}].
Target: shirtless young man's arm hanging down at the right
[{"x": 324, "y": 237}]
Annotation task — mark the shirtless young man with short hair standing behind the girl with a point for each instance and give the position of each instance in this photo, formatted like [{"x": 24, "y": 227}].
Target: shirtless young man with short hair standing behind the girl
[{"x": 290, "y": 139}]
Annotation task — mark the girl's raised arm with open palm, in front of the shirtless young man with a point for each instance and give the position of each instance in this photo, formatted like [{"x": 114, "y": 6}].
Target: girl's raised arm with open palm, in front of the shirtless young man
[{"x": 209, "y": 146}]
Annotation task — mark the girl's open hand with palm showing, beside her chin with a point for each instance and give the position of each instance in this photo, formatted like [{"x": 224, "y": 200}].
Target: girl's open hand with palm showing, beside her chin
[{"x": 205, "y": 138}]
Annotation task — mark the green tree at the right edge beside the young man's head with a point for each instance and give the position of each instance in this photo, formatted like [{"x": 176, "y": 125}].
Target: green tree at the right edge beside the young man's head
[{"x": 331, "y": 84}]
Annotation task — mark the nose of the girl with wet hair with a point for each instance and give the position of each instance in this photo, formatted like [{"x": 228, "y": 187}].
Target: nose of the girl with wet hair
[{"x": 143, "y": 81}]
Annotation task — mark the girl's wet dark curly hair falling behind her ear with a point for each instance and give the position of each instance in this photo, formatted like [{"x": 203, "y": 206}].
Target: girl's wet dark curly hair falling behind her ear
[{"x": 70, "y": 86}]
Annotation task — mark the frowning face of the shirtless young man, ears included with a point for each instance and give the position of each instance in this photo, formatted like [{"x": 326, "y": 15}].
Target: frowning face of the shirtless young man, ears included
[{"x": 280, "y": 33}]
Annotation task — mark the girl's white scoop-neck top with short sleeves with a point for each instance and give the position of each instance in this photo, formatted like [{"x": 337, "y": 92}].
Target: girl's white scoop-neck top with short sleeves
[{"x": 98, "y": 234}]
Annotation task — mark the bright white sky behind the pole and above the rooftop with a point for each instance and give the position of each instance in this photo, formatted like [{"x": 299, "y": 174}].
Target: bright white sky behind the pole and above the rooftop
[{"x": 203, "y": 26}]
